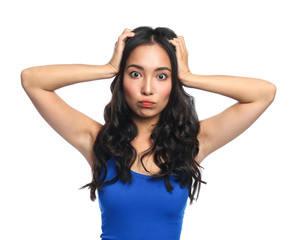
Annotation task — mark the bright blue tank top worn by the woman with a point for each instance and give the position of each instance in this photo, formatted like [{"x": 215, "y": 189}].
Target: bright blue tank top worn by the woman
[{"x": 142, "y": 210}]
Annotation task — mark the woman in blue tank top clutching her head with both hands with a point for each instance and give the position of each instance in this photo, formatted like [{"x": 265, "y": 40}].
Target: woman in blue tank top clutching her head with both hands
[{"x": 145, "y": 158}]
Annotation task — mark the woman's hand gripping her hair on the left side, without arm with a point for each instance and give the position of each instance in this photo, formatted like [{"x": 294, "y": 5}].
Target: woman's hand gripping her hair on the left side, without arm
[{"x": 114, "y": 63}]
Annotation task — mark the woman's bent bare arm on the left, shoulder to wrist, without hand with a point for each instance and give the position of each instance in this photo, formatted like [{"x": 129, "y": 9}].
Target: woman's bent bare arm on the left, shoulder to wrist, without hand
[{"x": 40, "y": 84}]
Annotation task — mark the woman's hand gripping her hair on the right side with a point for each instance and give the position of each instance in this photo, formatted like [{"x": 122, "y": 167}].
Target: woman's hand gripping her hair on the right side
[{"x": 182, "y": 57}]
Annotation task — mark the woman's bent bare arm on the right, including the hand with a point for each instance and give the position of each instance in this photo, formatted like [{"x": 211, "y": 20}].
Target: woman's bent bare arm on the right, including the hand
[{"x": 253, "y": 98}]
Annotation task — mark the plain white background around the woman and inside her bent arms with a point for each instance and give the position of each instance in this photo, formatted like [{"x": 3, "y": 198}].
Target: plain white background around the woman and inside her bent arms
[{"x": 252, "y": 190}]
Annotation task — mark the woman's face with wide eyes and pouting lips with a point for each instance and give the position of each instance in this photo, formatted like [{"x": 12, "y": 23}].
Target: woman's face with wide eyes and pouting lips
[{"x": 147, "y": 81}]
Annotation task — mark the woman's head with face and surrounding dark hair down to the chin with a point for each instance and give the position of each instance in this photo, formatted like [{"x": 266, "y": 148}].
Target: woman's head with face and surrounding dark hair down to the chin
[{"x": 139, "y": 55}]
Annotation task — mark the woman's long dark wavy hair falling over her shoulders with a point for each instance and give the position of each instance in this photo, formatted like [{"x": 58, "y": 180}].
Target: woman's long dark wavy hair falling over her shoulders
[{"x": 174, "y": 137}]
